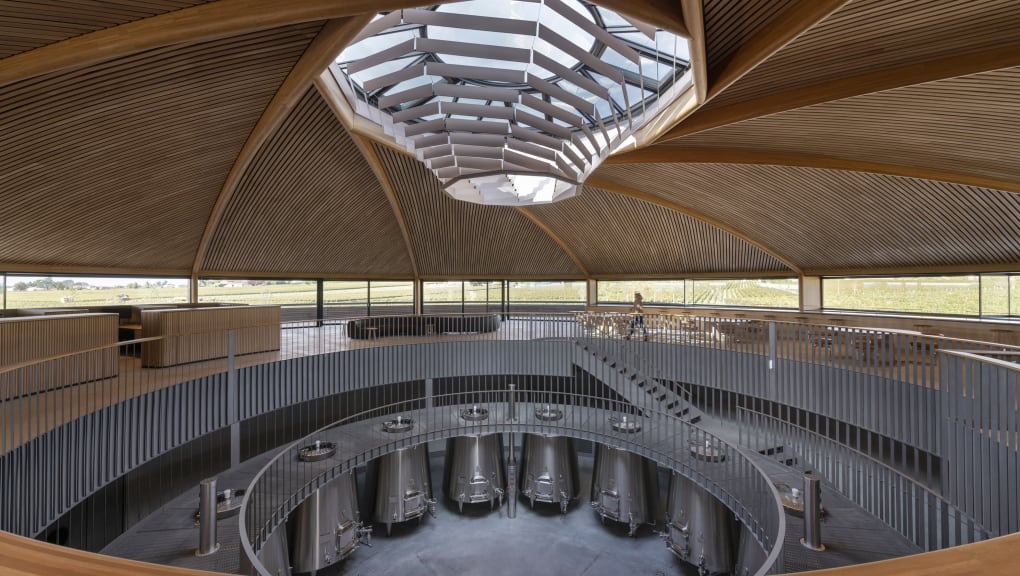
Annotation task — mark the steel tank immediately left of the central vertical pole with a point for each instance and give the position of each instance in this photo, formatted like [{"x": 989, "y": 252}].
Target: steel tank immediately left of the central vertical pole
[{"x": 475, "y": 470}]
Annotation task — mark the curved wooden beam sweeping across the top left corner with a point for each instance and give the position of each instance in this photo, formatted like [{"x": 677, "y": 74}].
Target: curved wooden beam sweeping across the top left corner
[{"x": 212, "y": 21}]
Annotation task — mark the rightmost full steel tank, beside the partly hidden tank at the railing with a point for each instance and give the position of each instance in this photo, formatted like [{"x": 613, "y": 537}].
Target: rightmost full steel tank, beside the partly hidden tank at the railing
[{"x": 700, "y": 530}]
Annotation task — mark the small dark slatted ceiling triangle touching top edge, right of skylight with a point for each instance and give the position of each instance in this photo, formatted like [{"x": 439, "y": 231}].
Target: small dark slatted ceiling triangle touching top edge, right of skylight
[{"x": 729, "y": 24}]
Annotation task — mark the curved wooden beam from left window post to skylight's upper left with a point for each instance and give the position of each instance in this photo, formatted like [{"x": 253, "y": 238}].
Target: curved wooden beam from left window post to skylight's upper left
[{"x": 333, "y": 38}]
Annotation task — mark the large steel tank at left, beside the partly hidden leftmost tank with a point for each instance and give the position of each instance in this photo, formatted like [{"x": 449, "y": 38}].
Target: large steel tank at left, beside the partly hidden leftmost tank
[{"x": 327, "y": 528}]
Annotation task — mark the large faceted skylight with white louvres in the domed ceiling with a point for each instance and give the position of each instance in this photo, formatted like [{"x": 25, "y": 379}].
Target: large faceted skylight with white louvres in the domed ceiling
[{"x": 513, "y": 102}]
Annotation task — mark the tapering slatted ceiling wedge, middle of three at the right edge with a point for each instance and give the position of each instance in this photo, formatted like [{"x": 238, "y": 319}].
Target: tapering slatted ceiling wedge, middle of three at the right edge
[{"x": 970, "y": 125}]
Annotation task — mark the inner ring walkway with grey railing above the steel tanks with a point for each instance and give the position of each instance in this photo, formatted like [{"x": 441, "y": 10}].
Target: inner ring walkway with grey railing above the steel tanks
[{"x": 729, "y": 475}]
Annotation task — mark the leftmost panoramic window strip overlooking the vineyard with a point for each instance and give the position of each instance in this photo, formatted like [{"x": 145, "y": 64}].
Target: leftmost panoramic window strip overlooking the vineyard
[{"x": 79, "y": 292}]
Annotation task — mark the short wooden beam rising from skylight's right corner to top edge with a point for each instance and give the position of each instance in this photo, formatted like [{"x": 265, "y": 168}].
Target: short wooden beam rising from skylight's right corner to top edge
[{"x": 786, "y": 28}]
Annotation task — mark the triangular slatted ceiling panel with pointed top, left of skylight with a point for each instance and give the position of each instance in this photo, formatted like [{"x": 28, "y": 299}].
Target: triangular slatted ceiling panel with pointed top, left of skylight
[{"x": 310, "y": 204}]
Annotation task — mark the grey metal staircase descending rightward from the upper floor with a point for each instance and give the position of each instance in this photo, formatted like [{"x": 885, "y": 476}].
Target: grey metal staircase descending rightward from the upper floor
[{"x": 639, "y": 390}]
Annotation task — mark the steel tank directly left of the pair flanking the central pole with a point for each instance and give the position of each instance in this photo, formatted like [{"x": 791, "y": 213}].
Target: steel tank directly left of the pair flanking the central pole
[{"x": 405, "y": 487}]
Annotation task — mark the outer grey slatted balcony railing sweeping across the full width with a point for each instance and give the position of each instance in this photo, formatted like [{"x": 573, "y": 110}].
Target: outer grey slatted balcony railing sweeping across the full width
[{"x": 917, "y": 403}]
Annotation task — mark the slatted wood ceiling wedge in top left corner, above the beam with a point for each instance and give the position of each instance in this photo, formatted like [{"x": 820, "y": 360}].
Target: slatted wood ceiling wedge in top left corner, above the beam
[{"x": 31, "y": 24}]
